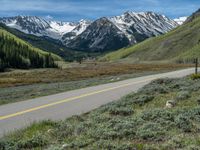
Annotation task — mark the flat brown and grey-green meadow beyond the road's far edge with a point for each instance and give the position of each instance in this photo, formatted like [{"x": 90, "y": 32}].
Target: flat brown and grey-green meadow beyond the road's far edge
[{"x": 27, "y": 84}]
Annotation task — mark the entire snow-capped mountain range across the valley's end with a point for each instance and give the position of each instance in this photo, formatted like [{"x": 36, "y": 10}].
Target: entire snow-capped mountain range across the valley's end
[{"x": 102, "y": 34}]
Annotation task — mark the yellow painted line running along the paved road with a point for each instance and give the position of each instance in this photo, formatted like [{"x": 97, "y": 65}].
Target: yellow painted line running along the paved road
[{"x": 70, "y": 99}]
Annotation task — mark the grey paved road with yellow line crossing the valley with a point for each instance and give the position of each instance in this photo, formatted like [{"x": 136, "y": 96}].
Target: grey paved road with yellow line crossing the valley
[{"x": 60, "y": 106}]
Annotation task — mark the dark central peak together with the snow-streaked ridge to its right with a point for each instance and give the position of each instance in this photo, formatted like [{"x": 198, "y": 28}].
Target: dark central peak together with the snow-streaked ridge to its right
[{"x": 117, "y": 32}]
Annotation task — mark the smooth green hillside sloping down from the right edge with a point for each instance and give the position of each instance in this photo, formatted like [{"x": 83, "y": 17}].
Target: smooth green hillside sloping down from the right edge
[{"x": 181, "y": 44}]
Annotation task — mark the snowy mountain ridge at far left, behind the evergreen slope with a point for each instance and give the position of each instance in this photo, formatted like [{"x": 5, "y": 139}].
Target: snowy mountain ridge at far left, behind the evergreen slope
[{"x": 39, "y": 26}]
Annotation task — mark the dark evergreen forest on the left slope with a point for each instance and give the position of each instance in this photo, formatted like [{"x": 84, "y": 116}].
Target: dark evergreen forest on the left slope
[{"x": 15, "y": 54}]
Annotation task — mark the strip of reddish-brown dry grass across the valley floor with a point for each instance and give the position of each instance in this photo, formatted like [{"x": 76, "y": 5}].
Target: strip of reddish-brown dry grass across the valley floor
[{"x": 78, "y": 72}]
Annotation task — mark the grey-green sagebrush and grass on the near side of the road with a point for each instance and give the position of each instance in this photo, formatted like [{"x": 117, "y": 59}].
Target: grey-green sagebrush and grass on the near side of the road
[{"x": 141, "y": 120}]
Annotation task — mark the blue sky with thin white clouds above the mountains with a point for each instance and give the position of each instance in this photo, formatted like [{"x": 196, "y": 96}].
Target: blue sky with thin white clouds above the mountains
[{"x": 74, "y": 10}]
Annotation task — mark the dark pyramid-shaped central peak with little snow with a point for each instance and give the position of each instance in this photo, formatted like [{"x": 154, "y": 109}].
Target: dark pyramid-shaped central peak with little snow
[{"x": 101, "y": 35}]
